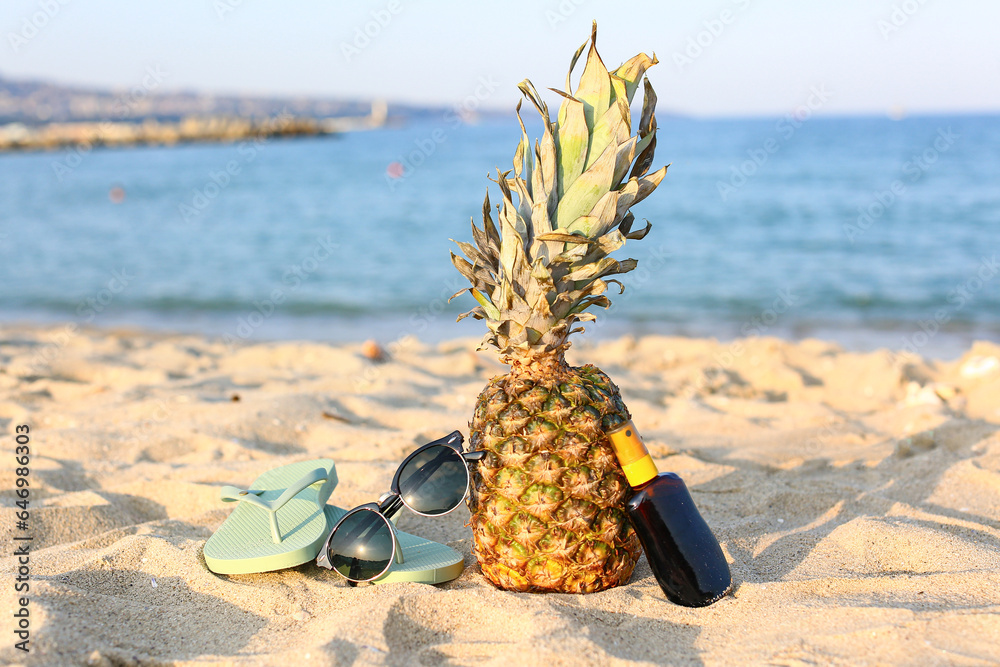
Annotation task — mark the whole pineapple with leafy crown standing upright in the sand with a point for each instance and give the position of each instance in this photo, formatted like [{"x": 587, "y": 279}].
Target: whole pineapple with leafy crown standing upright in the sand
[{"x": 547, "y": 501}]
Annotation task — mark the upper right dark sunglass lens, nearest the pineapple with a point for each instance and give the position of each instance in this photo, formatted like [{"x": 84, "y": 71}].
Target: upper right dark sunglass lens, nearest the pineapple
[{"x": 434, "y": 481}]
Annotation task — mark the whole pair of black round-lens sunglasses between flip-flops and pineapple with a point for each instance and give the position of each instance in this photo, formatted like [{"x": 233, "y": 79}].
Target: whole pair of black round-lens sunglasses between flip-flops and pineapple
[{"x": 432, "y": 481}]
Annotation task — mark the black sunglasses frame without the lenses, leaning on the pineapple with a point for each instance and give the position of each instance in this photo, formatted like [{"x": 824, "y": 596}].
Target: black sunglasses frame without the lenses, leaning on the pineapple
[{"x": 390, "y": 503}]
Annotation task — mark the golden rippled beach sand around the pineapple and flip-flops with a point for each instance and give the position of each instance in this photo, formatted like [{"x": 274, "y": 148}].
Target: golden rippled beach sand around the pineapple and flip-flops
[{"x": 857, "y": 497}]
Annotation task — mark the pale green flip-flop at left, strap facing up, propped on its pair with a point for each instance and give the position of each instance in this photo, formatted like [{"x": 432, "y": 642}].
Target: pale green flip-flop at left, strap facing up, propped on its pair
[{"x": 278, "y": 523}]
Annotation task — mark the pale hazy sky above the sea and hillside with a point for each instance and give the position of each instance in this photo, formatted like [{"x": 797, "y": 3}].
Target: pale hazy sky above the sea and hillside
[{"x": 717, "y": 57}]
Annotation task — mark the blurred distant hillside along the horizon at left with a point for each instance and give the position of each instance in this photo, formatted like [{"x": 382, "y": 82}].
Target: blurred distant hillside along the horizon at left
[{"x": 38, "y": 102}]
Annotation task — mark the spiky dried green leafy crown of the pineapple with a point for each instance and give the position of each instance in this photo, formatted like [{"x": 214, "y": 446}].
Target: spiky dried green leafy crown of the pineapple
[{"x": 549, "y": 259}]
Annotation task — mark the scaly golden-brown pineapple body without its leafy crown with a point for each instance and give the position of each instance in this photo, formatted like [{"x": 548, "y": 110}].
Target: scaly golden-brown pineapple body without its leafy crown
[{"x": 547, "y": 501}]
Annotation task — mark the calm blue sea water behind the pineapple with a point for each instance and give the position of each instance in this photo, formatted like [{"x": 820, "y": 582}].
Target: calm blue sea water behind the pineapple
[{"x": 864, "y": 230}]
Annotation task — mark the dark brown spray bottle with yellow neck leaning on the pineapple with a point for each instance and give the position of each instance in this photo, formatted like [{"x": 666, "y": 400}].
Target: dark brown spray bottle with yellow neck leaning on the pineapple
[{"x": 684, "y": 555}]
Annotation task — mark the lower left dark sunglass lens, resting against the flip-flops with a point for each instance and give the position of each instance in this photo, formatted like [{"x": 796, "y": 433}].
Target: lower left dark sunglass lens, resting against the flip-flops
[{"x": 361, "y": 546}]
